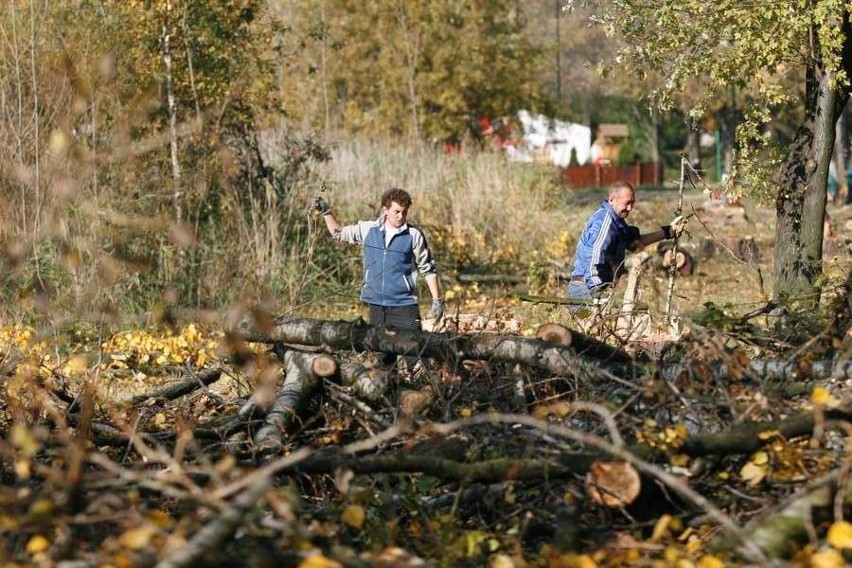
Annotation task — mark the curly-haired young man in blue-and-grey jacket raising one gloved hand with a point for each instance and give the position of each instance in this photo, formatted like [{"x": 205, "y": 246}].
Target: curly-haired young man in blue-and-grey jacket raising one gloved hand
[{"x": 395, "y": 252}]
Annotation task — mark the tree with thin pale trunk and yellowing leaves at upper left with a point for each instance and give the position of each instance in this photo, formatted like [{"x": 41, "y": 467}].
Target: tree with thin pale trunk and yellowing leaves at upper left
[{"x": 203, "y": 62}]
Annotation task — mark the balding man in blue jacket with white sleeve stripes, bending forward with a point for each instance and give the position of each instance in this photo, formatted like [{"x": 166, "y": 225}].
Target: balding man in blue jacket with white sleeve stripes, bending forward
[{"x": 606, "y": 239}]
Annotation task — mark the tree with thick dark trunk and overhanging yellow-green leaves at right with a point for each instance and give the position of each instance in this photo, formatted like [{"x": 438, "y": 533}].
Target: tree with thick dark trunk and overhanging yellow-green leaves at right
[{"x": 751, "y": 47}]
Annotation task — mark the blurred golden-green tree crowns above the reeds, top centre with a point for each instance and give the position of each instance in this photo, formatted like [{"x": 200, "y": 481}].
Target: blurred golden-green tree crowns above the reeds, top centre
[{"x": 426, "y": 69}]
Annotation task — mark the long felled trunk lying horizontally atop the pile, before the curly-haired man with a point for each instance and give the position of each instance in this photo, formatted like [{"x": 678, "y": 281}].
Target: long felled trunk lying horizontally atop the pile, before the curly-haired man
[{"x": 358, "y": 336}]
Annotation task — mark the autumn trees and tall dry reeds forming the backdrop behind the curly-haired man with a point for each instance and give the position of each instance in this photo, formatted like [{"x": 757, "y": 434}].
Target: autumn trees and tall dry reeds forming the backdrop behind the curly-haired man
[{"x": 163, "y": 153}]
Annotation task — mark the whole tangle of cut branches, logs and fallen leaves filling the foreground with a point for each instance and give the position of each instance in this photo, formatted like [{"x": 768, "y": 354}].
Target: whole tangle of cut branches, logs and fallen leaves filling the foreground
[{"x": 497, "y": 430}]
